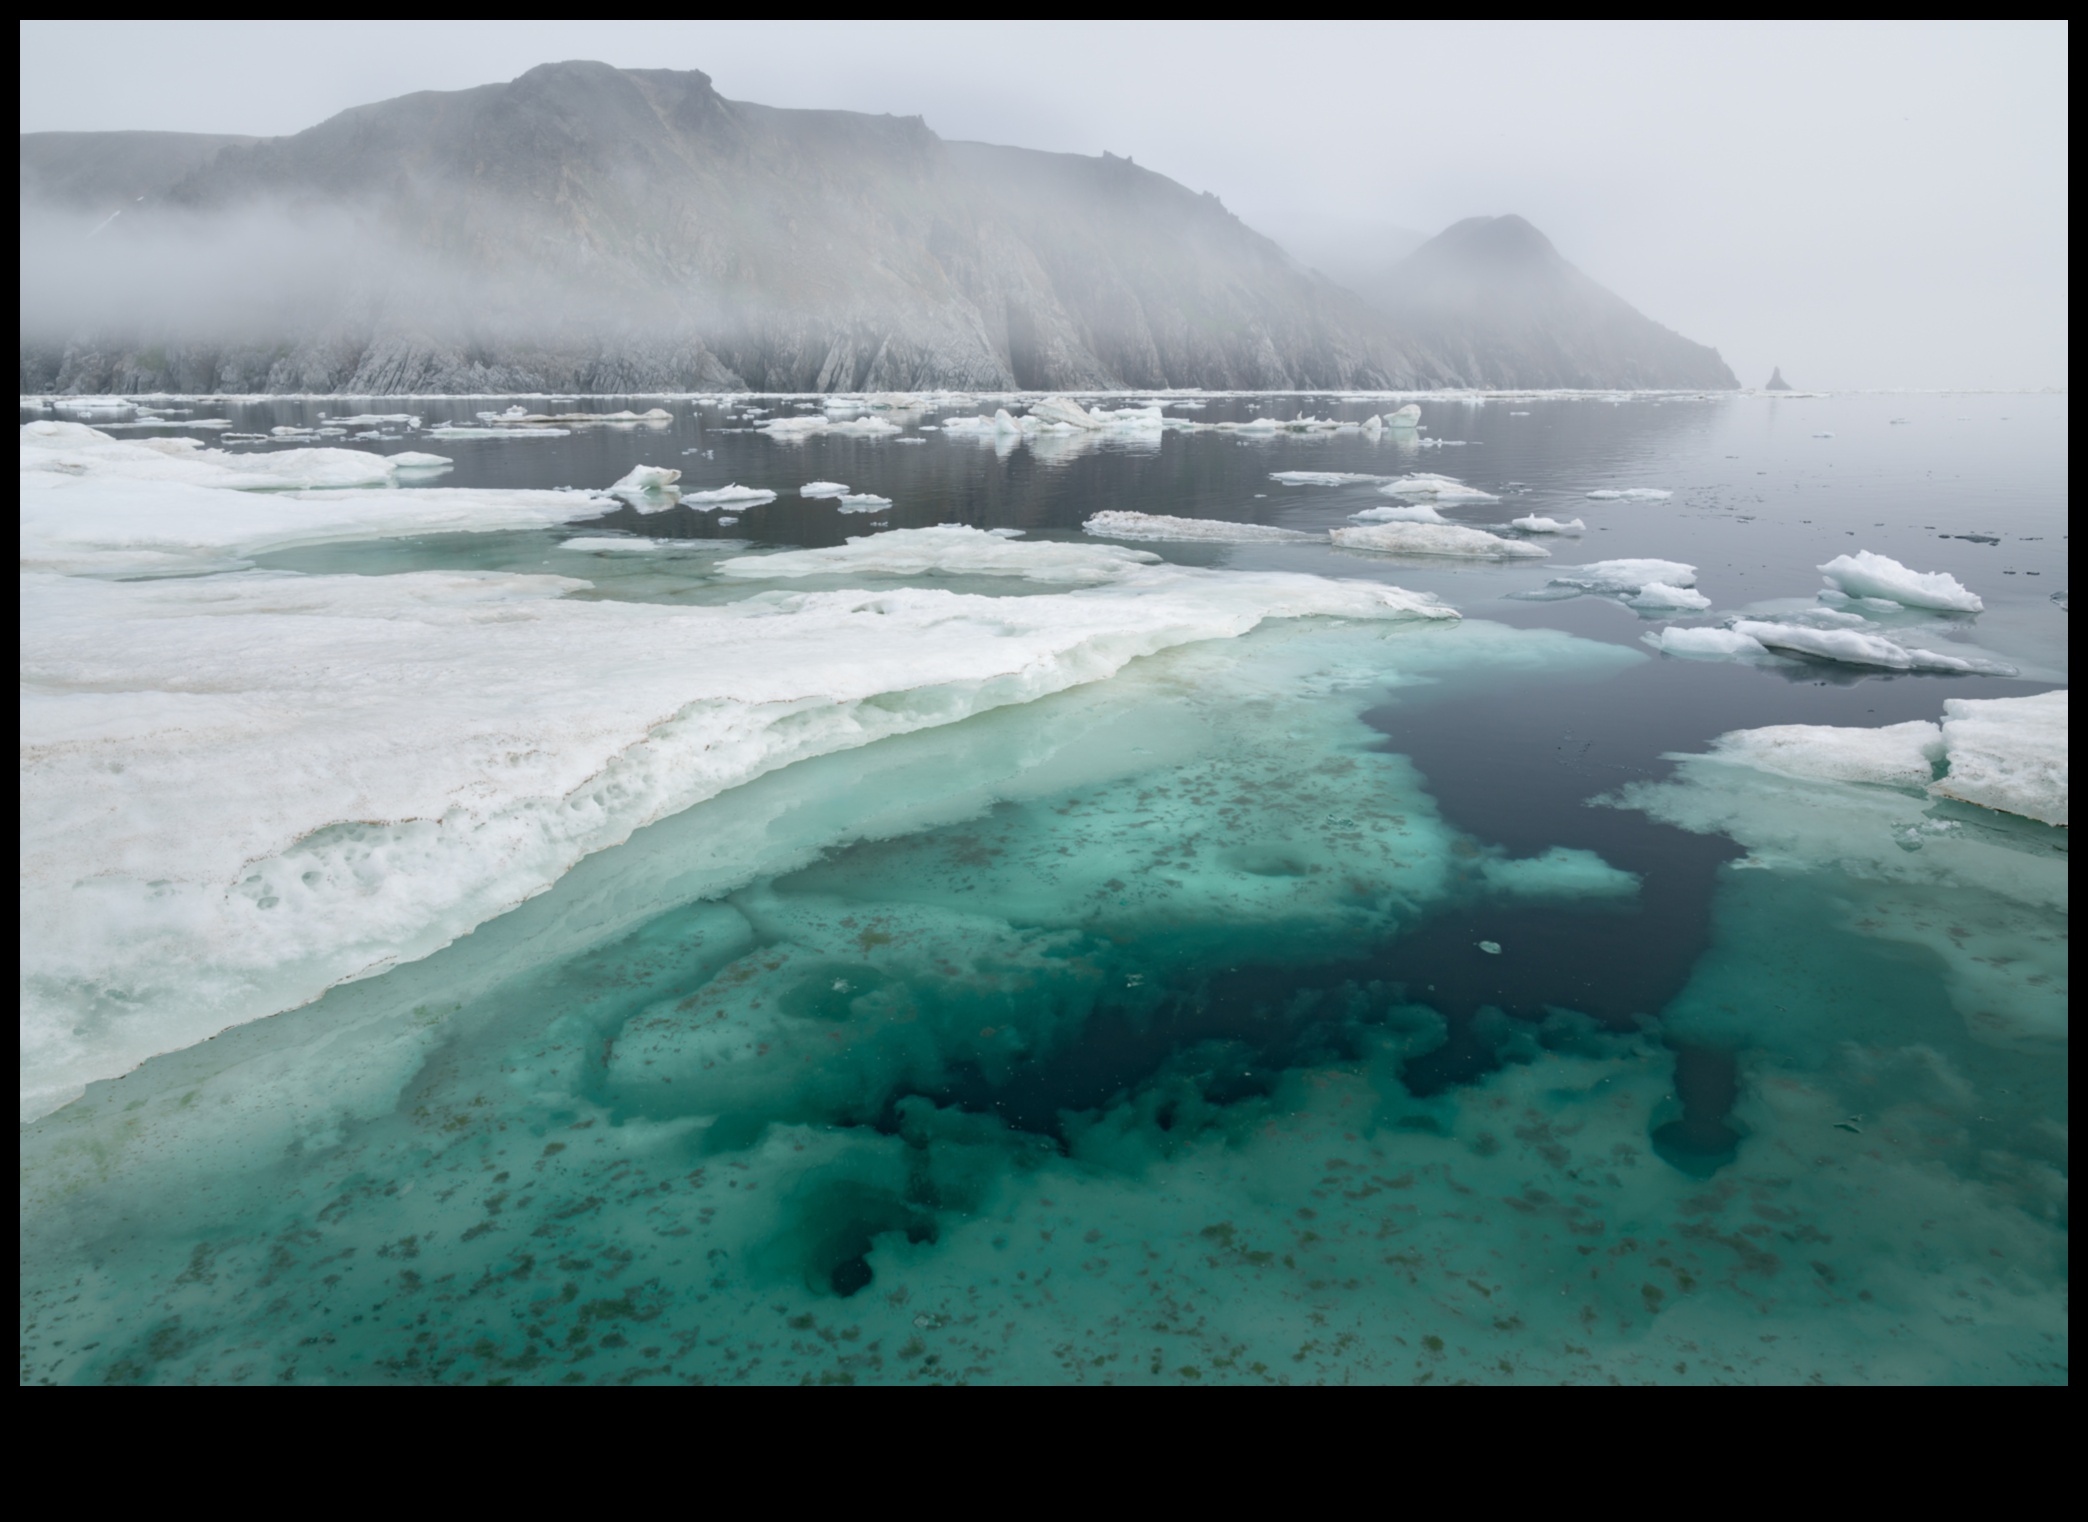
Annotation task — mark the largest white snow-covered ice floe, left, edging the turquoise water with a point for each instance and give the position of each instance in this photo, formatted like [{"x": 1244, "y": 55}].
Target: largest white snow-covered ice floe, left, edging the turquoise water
[{"x": 327, "y": 776}]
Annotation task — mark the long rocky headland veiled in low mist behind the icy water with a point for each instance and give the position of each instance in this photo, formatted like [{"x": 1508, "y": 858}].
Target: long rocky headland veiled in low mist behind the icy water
[{"x": 607, "y": 231}]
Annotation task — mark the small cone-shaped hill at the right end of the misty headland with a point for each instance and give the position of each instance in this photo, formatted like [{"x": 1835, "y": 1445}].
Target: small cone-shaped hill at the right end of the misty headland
[{"x": 1502, "y": 308}]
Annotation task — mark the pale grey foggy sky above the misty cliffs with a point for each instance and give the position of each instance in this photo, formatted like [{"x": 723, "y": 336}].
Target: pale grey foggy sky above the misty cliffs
[{"x": 1868, "y": 206}]
